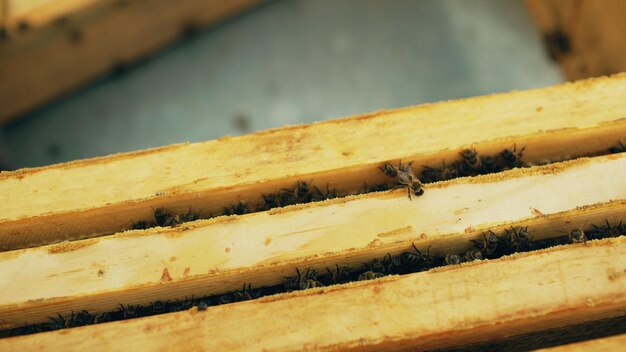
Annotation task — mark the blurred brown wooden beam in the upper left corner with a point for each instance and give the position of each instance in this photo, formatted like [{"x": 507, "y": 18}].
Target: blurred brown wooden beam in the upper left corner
[{"x": 53, "y": 47}]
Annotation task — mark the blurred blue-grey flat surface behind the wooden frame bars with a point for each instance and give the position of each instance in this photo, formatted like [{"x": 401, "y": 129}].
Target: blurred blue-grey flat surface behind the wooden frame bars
[{"x": 291, "y": 62}]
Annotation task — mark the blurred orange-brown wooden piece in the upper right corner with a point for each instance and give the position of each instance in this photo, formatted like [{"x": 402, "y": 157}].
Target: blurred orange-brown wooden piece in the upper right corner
[{"x": 592, "y": 42}]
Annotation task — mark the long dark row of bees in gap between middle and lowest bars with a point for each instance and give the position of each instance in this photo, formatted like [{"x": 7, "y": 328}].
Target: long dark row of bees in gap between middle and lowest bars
[{"x": 490, "y": 246}]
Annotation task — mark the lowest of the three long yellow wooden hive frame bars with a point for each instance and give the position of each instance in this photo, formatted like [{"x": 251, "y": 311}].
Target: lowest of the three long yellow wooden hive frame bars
[{"x": 440, "y": 308}]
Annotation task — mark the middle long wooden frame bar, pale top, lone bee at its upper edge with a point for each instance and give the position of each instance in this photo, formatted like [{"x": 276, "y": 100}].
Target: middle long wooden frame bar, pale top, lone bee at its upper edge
[{"x": 216, "y": 256}]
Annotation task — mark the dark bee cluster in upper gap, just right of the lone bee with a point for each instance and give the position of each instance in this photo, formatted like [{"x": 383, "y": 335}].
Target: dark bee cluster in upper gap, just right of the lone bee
[{"x": 470, "y": 163}]
